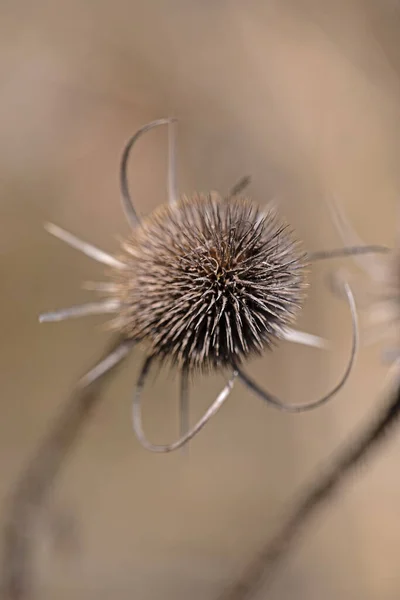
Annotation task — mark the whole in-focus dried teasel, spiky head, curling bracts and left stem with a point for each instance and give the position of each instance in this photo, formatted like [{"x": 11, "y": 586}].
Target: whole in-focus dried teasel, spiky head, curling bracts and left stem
[{"x": 267, "y": 243}]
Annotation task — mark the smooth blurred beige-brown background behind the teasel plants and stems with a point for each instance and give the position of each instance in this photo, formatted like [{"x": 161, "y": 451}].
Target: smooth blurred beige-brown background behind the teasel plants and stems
[{"x": 303, "y": 95}]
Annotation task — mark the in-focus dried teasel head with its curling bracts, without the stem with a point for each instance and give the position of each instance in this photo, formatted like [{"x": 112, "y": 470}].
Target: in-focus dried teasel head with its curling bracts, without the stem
[{"x": 205, "y": 283}]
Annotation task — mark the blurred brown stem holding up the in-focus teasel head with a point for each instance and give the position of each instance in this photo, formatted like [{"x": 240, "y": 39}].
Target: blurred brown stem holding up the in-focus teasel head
[{"x": 35, "y": 482}]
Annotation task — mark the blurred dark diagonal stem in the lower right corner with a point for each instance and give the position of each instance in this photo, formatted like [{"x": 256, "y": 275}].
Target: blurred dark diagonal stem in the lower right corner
[{"x": 262, "y": 569}]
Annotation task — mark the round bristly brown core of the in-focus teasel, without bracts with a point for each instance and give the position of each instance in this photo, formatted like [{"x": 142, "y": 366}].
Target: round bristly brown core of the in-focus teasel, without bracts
[{"x": 209, "y": 281}]
